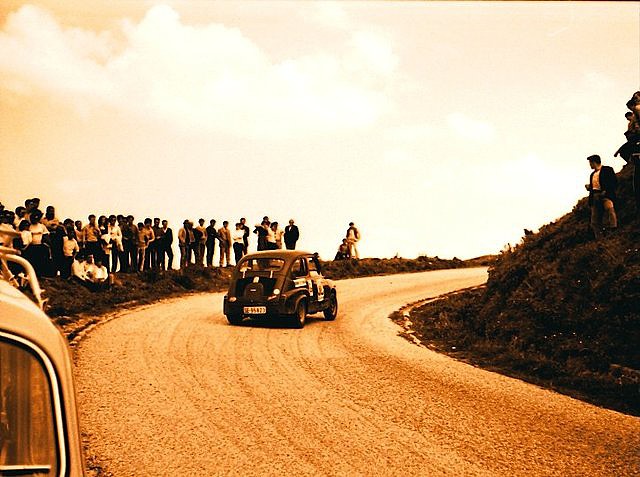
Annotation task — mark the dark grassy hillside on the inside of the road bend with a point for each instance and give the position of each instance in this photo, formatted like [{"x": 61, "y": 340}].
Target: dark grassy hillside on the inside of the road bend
[{"x": 561, "y": 309}]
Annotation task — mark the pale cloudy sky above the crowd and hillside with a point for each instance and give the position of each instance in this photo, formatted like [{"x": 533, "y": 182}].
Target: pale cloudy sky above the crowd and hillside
[{"x": 439, "y": 128}]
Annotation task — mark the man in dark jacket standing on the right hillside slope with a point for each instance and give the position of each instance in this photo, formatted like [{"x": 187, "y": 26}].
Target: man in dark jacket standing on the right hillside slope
[{"x": 602, "y": 195}]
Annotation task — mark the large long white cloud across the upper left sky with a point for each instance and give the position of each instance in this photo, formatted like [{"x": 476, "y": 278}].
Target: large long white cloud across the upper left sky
[{"x": 200, "y": 78}]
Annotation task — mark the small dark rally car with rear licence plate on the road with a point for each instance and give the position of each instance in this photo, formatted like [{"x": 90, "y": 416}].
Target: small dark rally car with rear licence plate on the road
[{"x": 280, "y": 283}]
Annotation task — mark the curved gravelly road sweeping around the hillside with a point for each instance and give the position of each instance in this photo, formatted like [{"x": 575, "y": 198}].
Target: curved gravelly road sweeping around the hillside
[{"x": 172, "y": 389}]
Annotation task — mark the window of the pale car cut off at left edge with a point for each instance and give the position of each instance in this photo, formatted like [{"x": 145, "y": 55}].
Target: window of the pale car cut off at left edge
[{"x": 27, "y": 427}]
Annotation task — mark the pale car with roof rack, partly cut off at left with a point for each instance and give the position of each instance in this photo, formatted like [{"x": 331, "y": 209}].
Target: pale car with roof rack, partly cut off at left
[{"x": 39, "y": 434}]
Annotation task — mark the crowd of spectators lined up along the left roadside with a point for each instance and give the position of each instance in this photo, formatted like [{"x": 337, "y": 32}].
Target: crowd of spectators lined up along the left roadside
[{"x": 90, "y": 252}]
